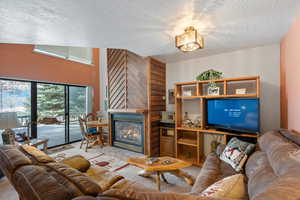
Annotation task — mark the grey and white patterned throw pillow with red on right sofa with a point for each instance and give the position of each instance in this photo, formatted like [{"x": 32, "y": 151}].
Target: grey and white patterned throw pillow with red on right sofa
[{"x": 236, "y": 153}]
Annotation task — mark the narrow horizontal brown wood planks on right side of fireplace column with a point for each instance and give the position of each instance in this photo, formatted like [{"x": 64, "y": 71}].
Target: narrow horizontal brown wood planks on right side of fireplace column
[{"x": 156, "y": 102}]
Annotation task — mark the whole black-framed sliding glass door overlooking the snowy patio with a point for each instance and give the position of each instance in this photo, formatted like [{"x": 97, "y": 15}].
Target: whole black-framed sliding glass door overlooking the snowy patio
[{"x": 53, "y": 109}]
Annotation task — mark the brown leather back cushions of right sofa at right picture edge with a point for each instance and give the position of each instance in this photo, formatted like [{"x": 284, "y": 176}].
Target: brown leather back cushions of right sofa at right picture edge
[{"x": 273, "y": 172}]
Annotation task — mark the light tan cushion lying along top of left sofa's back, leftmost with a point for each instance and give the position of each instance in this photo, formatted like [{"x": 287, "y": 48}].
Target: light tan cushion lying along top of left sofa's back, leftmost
[{"x": 36, "y": 154}]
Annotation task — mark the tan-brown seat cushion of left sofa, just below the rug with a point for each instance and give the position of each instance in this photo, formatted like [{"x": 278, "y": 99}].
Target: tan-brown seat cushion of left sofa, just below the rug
[{"x": 103, "y": 177}]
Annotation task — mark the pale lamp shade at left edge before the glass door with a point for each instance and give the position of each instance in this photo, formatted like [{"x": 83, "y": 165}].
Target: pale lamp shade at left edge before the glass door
[{"x": 9, "y": 120}]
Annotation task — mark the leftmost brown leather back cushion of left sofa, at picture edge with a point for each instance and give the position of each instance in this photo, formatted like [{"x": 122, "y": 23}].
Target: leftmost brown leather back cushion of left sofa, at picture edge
[{"x": 11, "y": 158}]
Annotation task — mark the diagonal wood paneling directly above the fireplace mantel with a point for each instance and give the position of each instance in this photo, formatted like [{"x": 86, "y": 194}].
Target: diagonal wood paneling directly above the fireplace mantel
[{"x": 127, "y": 80}]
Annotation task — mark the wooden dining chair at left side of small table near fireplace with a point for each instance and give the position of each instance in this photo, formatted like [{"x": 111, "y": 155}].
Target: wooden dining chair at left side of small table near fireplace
[{"x": 88, "y": 138}]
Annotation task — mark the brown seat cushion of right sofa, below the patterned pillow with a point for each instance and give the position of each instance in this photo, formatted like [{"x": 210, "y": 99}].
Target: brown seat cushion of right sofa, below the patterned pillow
[{"x": 212, "y": 171}]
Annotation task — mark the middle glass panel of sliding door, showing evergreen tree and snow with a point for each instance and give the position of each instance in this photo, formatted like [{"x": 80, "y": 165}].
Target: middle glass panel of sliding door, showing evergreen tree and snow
[{"x": 51, "y": 113}]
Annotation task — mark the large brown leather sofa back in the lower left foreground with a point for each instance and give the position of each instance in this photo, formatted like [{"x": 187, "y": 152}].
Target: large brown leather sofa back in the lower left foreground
[{"x": 35, "y": 175}]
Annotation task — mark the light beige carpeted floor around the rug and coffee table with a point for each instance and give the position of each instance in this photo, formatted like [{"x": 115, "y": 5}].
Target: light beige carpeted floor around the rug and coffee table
[{"x": 130, "y": 172}]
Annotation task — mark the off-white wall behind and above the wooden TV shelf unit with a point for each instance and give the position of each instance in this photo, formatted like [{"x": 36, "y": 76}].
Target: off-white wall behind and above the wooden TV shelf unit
[{"x": 263, "y": 61}]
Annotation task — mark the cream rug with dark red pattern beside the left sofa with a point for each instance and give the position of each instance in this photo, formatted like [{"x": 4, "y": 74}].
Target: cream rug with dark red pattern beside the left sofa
[{"x": 108, "y": 162}]
